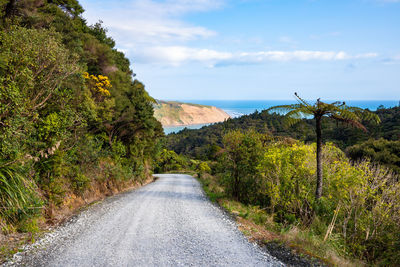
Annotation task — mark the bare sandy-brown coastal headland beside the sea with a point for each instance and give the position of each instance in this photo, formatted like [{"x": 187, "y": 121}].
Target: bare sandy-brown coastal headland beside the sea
[{"x": 171, "y": 113}]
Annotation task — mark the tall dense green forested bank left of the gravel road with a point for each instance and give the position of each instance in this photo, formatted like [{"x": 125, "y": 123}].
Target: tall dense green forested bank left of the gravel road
[{"x": 74, "y": 124}]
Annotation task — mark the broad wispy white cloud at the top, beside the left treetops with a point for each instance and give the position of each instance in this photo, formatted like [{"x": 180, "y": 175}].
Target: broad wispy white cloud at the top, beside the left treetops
[{"x": 150, "y": 22}]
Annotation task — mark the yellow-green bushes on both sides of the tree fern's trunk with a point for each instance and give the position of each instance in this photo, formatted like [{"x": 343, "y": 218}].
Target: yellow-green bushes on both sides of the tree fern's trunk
[{"x": 364, "y": 197}]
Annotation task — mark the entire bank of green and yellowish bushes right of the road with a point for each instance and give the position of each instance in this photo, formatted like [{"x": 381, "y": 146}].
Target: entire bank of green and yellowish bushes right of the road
[{"x": 359, "y": 209}]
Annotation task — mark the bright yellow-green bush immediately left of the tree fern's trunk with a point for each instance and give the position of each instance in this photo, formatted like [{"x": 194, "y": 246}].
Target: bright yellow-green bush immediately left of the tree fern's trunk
[{"x": 288, "y": 175}]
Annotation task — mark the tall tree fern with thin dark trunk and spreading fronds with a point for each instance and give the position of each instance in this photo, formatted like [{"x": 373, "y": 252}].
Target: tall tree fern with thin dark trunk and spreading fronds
[{"x": 338, "y": 111}]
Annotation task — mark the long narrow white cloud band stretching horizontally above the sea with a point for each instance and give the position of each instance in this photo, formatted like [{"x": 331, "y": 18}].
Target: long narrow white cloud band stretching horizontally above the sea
[{"x": 178, "y": 55}]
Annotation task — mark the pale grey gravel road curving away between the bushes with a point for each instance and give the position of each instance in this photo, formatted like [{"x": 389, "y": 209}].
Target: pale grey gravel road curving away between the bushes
[{"x": 166, "y": 223}]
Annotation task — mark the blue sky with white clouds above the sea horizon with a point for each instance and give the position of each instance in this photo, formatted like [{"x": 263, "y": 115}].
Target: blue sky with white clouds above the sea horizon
[{"x": 258, "y": 49}]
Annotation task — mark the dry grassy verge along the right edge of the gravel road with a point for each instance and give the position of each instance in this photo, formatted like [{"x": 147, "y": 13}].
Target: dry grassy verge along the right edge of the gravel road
[{"x": 259, "y": 226}]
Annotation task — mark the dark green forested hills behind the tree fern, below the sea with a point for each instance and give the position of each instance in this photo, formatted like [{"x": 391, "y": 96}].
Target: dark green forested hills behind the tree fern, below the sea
[{"x": 380, "y": 143}]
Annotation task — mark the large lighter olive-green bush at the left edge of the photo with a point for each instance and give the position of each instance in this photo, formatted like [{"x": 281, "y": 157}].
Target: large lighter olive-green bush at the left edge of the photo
[{"x": 33, "y": 74}]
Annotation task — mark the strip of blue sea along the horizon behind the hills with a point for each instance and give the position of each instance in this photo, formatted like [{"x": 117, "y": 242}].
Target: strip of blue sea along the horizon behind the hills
[{"x": 237, "y": 108}]
